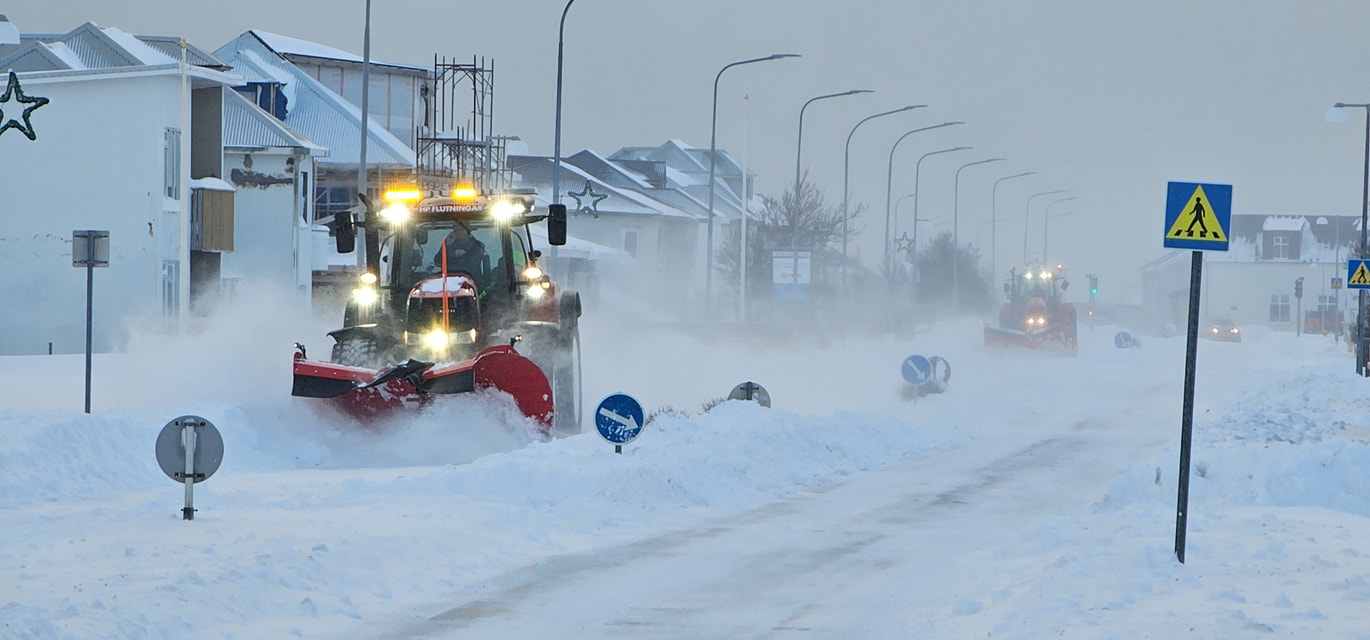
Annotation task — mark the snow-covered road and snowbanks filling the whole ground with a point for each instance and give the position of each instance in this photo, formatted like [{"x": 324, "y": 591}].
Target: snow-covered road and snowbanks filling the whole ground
[{"x": 1035, "y": 500}]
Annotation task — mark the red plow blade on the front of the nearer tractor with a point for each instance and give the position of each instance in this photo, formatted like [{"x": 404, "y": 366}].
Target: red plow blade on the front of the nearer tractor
[{"x": 369, "y": 395}]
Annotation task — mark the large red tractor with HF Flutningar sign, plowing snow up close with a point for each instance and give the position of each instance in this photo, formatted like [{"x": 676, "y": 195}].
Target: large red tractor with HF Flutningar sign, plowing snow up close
[{"x": 453, "y": 301}]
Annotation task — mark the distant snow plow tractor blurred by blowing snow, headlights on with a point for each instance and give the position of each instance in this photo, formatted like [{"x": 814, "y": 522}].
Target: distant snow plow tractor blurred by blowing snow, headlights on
[{"x": 1035, "y": 316}]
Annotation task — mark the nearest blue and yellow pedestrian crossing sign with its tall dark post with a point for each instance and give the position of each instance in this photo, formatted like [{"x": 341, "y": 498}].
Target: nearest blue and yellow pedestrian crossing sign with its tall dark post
[{"x": 1198, "y": 217}]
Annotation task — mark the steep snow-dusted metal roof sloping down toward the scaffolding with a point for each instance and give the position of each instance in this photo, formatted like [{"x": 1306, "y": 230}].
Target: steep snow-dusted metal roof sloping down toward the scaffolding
[{"x": 313, "y": 110}]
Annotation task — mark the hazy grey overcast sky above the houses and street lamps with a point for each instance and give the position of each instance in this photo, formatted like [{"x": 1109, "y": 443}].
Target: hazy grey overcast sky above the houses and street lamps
[{"x": 1109, "y": 101}]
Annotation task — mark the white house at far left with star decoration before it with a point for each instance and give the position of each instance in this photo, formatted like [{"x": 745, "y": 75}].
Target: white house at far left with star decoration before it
[{"x": 116, "y": 147}]
